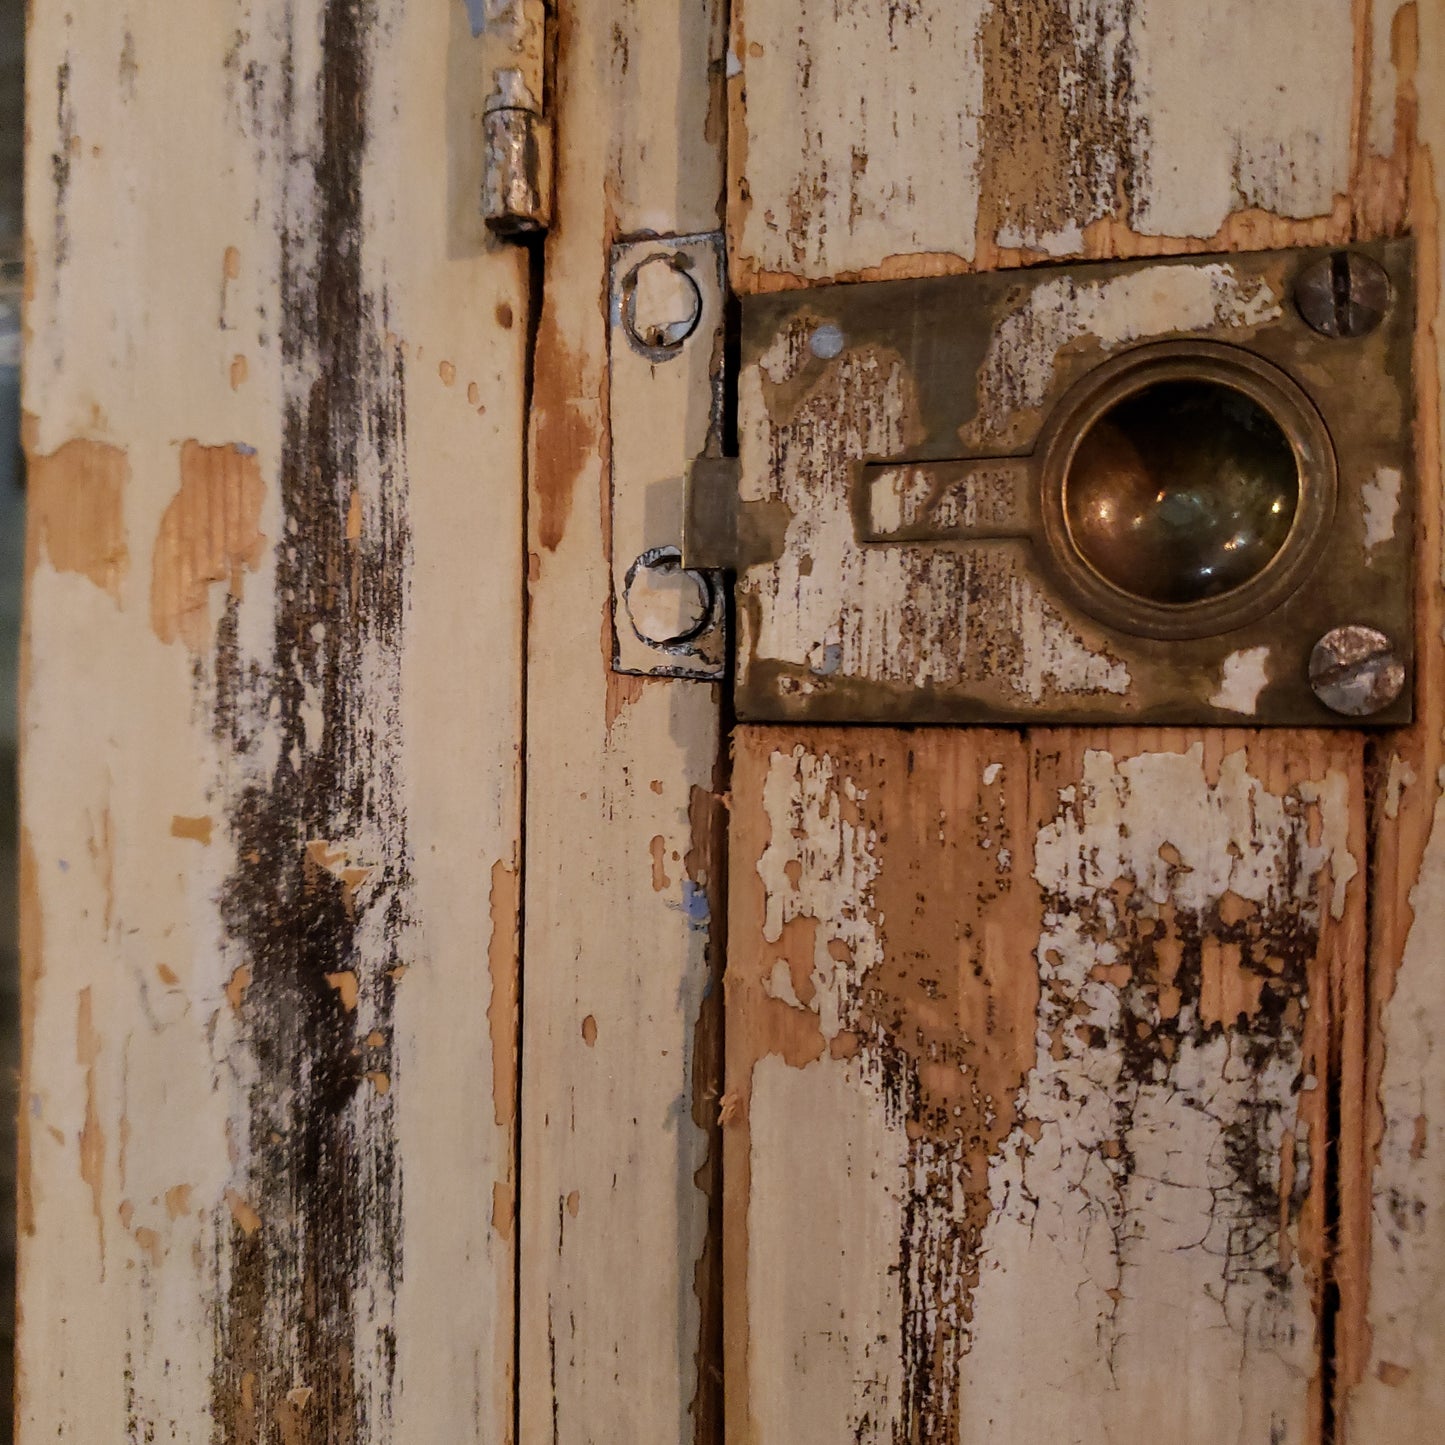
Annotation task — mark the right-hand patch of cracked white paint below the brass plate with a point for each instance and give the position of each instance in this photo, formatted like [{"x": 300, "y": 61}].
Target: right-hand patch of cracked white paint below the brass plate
[{"x": 1113, "y": 1261}]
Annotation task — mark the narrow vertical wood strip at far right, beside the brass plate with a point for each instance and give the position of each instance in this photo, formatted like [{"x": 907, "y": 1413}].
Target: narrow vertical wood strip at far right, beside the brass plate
[{"x": 1394, "y": 1323}]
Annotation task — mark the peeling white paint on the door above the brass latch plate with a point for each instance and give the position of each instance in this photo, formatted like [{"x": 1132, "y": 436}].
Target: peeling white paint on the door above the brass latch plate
[{"x": 1217, "y": 109}]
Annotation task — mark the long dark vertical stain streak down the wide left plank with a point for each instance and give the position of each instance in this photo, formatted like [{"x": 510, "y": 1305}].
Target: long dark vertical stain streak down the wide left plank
[{"x": 322, "y": 1183}]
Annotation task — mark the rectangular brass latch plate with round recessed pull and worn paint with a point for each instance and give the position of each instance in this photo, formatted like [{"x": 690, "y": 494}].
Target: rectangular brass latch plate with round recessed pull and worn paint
[{"x": 1144, "y": 492}]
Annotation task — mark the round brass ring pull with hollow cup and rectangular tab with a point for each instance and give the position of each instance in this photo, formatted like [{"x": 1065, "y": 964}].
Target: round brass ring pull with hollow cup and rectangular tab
[{"x": 1180, "y": 491}]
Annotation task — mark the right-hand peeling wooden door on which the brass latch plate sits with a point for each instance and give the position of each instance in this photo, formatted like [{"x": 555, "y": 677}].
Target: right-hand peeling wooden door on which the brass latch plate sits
[{"x": 1076, "y": 1087}]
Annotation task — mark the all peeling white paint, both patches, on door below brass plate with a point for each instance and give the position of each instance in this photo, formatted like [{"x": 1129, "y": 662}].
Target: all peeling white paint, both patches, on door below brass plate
[{"x": 1138, "y": 1252}]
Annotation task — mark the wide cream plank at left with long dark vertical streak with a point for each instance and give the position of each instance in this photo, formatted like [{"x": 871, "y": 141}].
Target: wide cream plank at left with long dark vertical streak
[{"x": 271, "y": 730}]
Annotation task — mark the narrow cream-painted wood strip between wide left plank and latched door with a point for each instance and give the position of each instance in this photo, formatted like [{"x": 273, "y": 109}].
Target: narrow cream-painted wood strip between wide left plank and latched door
[{"x": 624, "y": 918}]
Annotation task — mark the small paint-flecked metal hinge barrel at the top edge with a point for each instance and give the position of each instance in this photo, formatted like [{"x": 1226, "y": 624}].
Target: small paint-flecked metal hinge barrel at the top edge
[{"x": 517, "y": 181}]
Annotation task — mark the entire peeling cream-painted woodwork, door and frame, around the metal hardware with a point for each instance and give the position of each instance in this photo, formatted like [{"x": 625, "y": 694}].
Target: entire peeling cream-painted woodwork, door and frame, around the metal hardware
[{"x": 1080, "y": 1084}]
